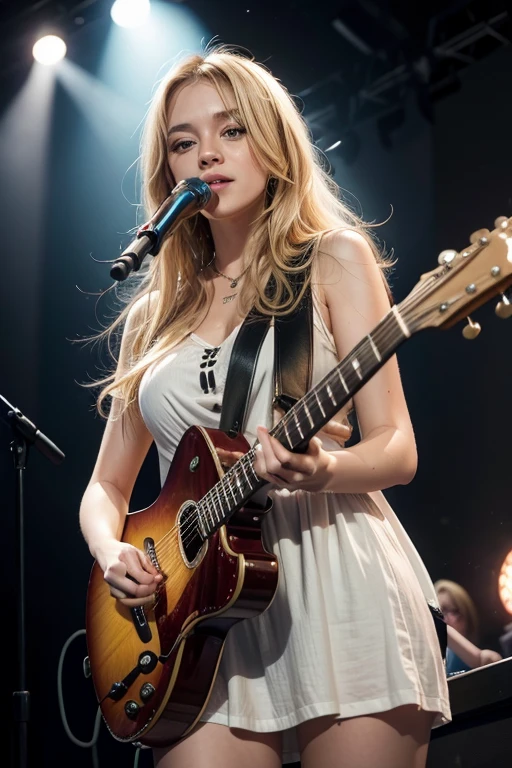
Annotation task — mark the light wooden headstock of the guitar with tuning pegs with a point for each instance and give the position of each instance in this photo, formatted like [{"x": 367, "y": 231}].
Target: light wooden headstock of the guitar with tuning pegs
[{"x": 464, "y": 281}]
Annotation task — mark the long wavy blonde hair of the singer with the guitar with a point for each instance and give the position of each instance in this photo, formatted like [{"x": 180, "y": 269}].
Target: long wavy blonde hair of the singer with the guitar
[{"x": 302, "y": 203}]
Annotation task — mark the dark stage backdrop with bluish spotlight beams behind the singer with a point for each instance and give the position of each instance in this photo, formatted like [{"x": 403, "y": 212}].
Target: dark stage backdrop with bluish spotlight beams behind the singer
[{"x": 425, "y": 129}]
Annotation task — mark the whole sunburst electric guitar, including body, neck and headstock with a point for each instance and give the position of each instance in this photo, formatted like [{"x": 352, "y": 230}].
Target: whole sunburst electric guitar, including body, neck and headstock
[{"x": 153, "y": 668}]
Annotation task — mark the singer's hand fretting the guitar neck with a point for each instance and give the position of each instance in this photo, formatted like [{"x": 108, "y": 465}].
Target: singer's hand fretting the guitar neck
[{"x": 310, "y": 471}]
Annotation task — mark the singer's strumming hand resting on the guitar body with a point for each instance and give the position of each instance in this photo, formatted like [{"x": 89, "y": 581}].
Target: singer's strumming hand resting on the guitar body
[{"x": 132, "y": 577}]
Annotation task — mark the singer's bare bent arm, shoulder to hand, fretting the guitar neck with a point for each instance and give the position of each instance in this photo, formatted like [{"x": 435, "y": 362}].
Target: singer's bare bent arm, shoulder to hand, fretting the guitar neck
[{"x": 355, "y": 299}]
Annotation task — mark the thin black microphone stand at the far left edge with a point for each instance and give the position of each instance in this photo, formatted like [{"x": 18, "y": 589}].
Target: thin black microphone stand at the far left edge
[{"x": 25, "y": 434}]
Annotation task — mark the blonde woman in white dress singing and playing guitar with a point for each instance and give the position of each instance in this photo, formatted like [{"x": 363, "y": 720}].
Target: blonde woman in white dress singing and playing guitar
[{"x": 344, "y": 668}]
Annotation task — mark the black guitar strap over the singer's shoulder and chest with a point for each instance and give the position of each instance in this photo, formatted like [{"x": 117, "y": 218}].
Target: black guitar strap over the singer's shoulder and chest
[{"x": 293, "y": 348}]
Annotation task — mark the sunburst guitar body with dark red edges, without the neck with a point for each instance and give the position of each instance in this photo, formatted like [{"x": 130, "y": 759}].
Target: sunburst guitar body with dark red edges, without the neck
[{"x": 153, "y": 668}]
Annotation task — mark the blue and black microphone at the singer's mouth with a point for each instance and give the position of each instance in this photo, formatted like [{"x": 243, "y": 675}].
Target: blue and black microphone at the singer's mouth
[{"x": 187, "y": 197}]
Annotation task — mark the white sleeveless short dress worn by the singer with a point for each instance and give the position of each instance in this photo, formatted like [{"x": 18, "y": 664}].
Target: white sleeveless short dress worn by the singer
[{"x": 349, "y": 631}]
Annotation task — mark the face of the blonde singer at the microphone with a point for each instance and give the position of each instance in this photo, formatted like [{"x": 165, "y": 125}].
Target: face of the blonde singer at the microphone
[{"x": 205, "y": 141}]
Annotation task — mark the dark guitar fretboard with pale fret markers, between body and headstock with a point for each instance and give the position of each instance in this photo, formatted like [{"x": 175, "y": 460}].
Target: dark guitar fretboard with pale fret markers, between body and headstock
[{"x": 306, "y": 417}]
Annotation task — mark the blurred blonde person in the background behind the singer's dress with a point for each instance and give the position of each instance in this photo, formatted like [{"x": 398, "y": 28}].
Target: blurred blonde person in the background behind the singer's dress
[{"x": 461, "y": 616}]
